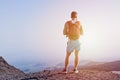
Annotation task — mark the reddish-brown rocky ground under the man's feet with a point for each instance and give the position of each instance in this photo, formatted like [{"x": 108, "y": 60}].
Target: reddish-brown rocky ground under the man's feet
[{"x": 82, "y": 75}]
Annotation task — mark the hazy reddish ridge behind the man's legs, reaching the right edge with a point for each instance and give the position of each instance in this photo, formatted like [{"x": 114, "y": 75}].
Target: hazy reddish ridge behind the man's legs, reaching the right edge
[{"x": 105, "y": 66}]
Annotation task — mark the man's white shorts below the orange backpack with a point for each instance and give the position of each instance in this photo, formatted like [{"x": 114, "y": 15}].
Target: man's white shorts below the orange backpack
[{"x": 73, "y": 45}]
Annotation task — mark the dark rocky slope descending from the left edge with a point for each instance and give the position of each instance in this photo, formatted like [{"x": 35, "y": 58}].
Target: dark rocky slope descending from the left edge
[{"x": 7, "y": 71}]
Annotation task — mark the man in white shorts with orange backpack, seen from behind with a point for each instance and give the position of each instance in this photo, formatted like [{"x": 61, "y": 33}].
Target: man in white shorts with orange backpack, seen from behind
[{"x": 72, "y": 30}]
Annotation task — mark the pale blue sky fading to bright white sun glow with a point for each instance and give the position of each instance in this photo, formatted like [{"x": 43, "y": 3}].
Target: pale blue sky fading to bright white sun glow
[{"x": 32, "y": 30}]
